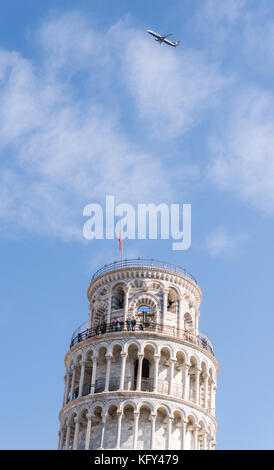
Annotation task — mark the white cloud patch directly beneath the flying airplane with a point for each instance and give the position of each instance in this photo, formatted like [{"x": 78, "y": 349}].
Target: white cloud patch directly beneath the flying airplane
[{"x": 172, "y": 88}]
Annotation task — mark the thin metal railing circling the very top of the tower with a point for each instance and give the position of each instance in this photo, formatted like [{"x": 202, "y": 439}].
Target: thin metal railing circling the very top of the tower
[{"x": 142, "y": 262}]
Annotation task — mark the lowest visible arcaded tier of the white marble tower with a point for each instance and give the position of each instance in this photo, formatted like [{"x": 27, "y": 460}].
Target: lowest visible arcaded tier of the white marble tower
[{"x": 135, "y": 421}]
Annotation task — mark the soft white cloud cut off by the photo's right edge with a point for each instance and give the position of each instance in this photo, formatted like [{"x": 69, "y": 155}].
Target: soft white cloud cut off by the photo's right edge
[{"x": 243, "y": 159}]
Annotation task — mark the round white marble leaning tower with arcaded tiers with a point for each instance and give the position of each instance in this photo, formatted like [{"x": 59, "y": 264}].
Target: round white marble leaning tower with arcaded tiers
[{"x": 139, "y": 374}]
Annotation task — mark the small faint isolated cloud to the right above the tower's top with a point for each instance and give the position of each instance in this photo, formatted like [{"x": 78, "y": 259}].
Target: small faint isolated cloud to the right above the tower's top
[{"x": 222, "y": 243}]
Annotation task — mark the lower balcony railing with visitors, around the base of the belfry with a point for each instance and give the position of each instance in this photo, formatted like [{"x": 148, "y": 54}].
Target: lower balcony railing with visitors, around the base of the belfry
[{"x": 84, "y": 332}]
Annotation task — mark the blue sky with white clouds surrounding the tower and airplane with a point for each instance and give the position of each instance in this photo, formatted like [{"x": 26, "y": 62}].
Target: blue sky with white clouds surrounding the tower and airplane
[{"x": 90, "y": 105}]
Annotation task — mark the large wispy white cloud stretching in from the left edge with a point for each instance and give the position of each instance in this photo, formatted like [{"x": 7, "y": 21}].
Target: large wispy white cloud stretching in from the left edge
[{"x": 59, "y": 152}]
